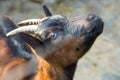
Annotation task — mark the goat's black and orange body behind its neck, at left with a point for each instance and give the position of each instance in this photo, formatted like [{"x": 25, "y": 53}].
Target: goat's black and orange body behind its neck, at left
[{"x": 13, "y": 64}]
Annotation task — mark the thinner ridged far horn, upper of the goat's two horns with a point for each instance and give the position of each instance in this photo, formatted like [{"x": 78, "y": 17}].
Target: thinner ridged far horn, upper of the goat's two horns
[{"x": 31, "y": 22}]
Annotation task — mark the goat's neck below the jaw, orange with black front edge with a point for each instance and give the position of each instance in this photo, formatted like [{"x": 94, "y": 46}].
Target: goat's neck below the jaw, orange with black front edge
[{"x": 50, "y": 71}]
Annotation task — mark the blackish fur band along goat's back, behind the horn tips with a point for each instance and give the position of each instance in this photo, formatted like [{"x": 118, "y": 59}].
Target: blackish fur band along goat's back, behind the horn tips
[{"x": 19, "y": 49}]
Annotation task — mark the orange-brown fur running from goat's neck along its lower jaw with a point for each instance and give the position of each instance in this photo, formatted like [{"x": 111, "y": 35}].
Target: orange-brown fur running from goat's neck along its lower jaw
[{"x": 52, "y": 67}]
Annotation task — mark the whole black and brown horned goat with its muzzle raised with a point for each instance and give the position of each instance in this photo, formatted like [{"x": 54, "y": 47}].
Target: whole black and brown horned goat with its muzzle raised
[{"x": 52, "y": 55}]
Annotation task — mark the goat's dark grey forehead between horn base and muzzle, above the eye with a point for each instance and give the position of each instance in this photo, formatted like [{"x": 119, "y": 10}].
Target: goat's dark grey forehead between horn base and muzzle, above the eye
[{"x": 55, "y": 21}]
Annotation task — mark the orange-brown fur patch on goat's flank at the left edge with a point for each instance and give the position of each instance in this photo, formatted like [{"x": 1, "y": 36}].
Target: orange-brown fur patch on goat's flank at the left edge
[{"x": 7, "y": 60}]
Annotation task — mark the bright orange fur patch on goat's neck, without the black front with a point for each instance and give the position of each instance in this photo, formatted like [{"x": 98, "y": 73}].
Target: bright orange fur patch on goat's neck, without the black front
[{"x": 49, "y": 71}]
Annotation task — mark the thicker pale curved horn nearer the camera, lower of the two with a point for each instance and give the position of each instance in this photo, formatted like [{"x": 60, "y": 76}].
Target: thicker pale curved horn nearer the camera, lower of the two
[{"x": 30, "y": 28}]
